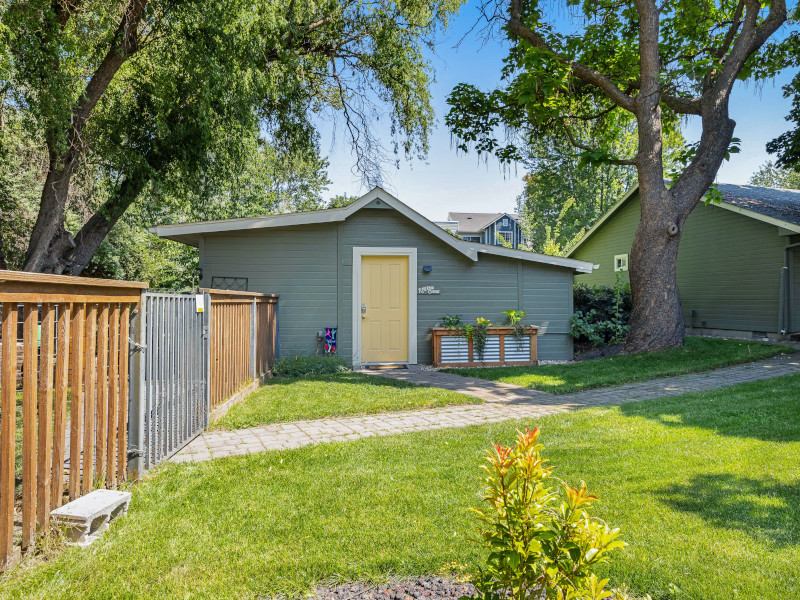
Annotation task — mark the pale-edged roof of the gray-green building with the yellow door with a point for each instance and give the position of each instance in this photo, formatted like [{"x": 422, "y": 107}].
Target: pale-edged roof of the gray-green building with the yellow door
[{"x": 190, "y": 233}]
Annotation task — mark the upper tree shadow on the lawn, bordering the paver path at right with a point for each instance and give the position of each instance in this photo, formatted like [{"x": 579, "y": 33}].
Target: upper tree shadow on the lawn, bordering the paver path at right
[{"x": 767, "y": 410}]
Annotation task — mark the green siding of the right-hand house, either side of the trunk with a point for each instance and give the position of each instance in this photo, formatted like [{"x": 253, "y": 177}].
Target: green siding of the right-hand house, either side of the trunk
[{"x": 729, "y": 266}]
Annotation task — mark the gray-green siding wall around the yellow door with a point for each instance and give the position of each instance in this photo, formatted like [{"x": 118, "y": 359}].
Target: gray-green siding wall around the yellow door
[{"x": 311, "y": 268}]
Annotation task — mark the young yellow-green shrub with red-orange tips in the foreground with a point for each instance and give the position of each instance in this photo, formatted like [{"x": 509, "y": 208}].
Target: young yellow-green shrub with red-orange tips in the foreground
[{"x": 541, "y": 540}]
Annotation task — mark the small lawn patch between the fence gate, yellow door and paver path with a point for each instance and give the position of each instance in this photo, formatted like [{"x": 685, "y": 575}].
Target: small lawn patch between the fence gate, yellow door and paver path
[{"x": 311, "y": 397}]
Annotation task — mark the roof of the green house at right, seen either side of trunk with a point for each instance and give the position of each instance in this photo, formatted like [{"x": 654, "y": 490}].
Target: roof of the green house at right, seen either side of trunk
[{"x": 776, "y": 206}]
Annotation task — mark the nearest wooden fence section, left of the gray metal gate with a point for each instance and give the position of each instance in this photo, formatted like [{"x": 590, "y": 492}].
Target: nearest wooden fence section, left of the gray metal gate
[{"x": 68, "y": 411}]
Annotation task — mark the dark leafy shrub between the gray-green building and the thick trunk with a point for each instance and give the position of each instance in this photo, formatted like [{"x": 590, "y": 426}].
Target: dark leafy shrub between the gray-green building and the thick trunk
[{"x": 601, "y": 313}]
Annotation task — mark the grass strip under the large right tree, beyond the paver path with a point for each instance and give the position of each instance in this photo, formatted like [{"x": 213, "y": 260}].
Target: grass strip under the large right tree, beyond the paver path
[{"x": 699, "y": 354}]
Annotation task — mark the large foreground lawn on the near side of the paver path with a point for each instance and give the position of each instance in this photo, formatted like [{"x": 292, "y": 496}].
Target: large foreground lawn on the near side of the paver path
[{"x": 704, "y": 487}]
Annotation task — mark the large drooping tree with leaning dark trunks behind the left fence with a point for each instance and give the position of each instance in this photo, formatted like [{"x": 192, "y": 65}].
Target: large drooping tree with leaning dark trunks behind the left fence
[{"x": 155, "y": 91}]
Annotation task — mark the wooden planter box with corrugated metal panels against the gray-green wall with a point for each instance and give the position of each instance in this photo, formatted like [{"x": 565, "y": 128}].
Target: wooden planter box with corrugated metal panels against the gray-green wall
[{"x": 451, "y": 348}]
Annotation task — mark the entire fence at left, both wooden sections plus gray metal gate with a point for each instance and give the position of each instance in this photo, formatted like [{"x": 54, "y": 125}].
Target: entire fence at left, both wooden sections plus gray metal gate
[{"x": 71, "y": 389}]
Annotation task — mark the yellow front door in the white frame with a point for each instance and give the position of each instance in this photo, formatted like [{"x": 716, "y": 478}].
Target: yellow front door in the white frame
[{"x": 384, "y": 309}]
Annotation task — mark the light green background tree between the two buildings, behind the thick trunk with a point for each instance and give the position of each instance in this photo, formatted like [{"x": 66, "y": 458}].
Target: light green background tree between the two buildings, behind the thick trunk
[{"x": 564, "y": 195}]
